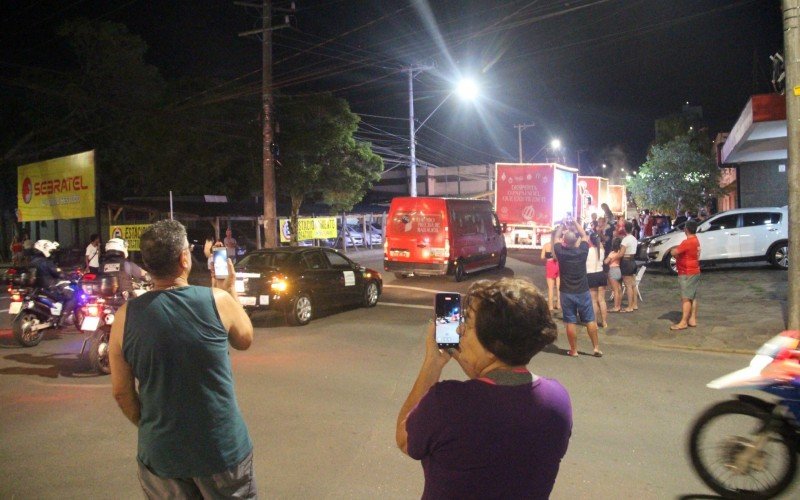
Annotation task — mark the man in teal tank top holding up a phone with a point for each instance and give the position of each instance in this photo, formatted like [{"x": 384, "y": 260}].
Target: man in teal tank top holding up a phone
[{"x": 174, "y": 341}]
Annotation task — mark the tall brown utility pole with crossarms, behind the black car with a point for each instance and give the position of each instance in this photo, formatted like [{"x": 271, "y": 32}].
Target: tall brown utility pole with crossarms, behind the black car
[{"x": 268, "y": 162}]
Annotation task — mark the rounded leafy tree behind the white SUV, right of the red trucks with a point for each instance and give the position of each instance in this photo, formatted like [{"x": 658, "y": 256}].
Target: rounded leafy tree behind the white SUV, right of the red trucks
[{"x": 675, "y": 174}]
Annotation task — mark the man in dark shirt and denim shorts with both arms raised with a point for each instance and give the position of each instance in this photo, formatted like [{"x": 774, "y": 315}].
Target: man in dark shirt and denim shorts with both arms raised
[{"x": 576, "y": 300}]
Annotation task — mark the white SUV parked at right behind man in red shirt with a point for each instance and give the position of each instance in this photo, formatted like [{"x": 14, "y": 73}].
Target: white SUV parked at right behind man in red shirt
[{"x": 740, "y": 235}]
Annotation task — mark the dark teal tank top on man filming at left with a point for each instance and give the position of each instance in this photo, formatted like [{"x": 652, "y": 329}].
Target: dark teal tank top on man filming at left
[{"x": 190, "y": 422}]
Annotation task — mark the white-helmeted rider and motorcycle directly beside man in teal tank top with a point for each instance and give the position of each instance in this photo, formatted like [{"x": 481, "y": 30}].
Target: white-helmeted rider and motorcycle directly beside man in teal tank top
[{"x": 119, "y": 281}]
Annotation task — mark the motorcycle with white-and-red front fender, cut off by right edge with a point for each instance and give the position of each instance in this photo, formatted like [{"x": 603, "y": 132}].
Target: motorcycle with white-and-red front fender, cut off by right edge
[{"x": 748, "y": 447}]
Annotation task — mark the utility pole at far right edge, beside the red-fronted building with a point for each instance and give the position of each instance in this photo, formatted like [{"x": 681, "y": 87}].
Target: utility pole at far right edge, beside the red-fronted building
[{"x": 791, "y": 44}]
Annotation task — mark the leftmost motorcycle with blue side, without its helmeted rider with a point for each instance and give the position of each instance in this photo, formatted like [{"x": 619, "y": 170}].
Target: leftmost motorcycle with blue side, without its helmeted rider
[{"x": 40, "y": 311}]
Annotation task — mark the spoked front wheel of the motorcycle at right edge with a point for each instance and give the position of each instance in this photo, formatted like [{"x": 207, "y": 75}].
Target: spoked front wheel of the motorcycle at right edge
[{"x": 740, "y": 451}]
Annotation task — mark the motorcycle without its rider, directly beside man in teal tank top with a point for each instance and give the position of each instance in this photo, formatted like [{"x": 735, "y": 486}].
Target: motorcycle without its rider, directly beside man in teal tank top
[{"x": 98, "y": 315}]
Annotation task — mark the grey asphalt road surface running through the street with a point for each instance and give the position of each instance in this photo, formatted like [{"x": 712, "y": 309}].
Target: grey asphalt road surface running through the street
[{"x": 321, "y": 403}]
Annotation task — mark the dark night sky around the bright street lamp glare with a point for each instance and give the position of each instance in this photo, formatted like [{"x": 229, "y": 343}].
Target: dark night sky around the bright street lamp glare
[{"x": 595, "y": 73}]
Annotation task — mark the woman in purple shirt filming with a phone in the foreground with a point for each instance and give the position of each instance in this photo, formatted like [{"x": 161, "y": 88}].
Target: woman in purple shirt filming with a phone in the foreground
[{"x": 503, "y": 432}]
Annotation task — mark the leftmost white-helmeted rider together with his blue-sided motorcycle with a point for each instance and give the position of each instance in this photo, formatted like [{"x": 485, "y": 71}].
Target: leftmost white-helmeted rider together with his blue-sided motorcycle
[{"x": 42, "y": 308}]
